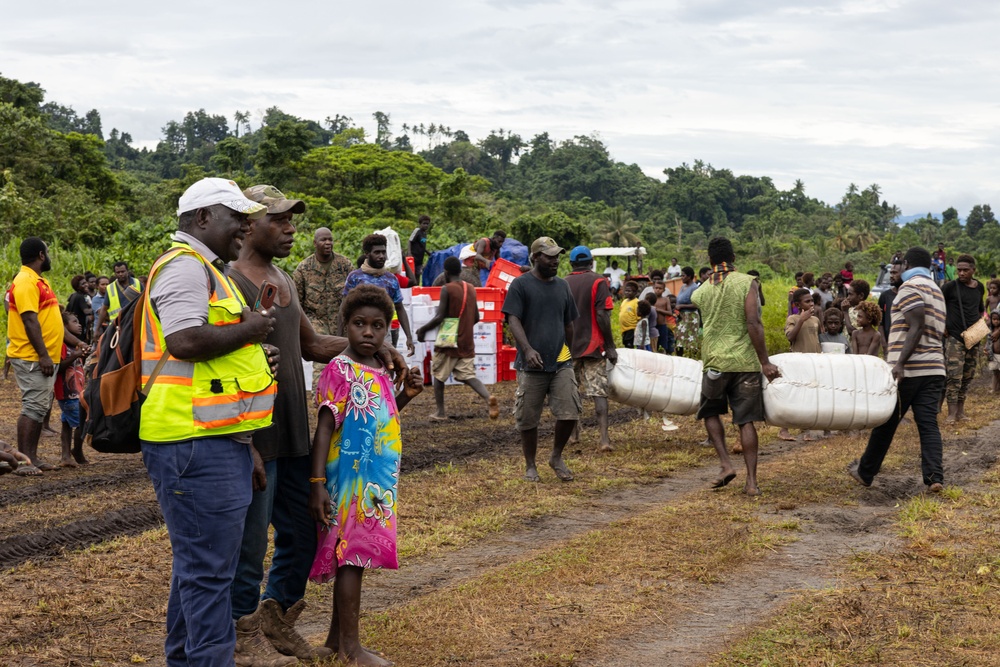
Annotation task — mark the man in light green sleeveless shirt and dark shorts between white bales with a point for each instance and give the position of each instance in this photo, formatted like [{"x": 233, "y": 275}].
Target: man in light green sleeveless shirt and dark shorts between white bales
[{"x": 734, "y": 356}]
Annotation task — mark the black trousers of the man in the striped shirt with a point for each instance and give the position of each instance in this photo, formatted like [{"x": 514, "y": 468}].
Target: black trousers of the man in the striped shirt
[{"x": 923, "y": 396}]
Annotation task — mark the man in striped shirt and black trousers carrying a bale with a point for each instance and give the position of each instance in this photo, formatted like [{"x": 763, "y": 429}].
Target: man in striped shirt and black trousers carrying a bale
[{"x": 917, "y": 358}]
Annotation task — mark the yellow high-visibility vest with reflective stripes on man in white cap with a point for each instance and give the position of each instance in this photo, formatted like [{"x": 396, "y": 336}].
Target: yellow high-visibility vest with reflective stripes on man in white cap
[{"x": 227, "y": 395}]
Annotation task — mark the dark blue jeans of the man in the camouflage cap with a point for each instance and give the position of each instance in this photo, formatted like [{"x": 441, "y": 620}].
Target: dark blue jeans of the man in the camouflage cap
[{"x": 285, "y": 505}]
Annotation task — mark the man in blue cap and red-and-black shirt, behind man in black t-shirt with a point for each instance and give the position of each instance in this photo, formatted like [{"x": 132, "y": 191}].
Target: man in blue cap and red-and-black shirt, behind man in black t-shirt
[{"x": 593, "y": 345}]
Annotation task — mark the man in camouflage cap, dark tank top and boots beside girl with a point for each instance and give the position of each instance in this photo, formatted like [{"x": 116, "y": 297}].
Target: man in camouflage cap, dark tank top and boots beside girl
[{"x": 265, "y": 625}]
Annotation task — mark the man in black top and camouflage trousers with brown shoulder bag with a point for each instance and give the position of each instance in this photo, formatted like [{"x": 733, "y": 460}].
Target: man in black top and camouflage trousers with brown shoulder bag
[{"x": 964, "y": 300}]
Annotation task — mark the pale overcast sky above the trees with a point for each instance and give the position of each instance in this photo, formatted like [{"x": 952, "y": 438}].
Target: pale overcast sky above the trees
[{"x": 899, "y": 93}]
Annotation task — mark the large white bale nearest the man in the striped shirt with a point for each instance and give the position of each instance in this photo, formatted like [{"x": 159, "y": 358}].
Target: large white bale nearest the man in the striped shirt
[{"x": 830, "y": 391}]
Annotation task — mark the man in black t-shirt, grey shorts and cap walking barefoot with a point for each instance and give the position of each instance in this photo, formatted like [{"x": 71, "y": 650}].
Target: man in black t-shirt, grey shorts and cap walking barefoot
[{"x": 540, "y": 312}]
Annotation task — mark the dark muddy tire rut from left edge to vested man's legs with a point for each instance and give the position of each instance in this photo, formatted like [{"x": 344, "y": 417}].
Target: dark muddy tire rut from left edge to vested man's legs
[{"x": 79, "y": 534}]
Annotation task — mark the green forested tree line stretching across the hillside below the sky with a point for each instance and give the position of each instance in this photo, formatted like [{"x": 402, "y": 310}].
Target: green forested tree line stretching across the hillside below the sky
[{"x": 63, "y": 177}]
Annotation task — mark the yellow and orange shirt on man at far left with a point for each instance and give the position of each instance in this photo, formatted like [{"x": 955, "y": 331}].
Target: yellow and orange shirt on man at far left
[{"x": 31, "y": 293}]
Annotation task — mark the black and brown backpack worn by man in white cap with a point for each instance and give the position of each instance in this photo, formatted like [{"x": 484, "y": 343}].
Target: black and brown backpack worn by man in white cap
[{"x": 114, "y": 395}]
